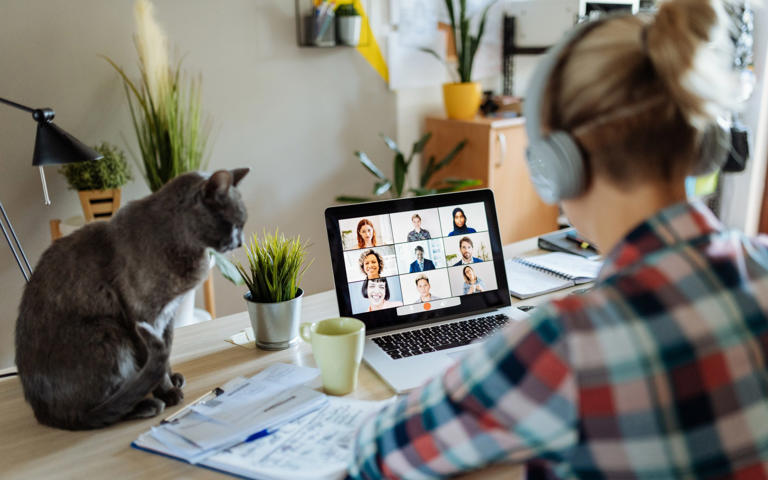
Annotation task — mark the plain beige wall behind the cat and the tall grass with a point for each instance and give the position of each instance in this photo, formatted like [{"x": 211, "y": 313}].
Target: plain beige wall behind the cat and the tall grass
[{"x": 294, "y": 115}]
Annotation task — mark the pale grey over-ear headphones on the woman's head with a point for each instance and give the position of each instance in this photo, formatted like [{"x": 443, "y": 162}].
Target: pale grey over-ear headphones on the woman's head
[{"x": 555, "y": 161}]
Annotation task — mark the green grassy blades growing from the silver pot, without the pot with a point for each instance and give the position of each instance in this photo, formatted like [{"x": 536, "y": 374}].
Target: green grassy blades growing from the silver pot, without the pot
[{"x": 276, "y": 265}]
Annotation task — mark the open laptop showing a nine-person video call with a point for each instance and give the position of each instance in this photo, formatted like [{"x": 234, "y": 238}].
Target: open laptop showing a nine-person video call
[{"x": 426, "y": 276}]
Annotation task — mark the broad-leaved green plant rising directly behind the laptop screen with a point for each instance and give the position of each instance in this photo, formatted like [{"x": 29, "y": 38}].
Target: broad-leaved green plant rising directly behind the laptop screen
[{"x": 397, "y": 186}]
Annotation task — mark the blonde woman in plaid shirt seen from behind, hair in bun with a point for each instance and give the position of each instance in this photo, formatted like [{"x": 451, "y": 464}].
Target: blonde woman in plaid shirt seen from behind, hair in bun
[{"x": 672, "y": 339}]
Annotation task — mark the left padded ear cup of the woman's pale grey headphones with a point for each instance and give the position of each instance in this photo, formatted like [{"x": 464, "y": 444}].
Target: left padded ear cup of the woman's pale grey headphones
[{"x": 556, "y": 167}]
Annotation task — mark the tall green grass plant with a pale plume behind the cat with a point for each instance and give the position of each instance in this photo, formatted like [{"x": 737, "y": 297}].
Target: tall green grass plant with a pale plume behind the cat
[{"x": 165, "y": 108}]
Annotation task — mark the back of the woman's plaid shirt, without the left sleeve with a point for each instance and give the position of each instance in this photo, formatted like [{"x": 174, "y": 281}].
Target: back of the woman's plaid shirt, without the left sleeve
[{"x": 668, "y": 354}]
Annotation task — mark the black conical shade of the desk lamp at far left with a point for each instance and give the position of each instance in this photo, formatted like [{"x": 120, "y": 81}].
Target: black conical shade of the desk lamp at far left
[{"x": 54, "y": 146}]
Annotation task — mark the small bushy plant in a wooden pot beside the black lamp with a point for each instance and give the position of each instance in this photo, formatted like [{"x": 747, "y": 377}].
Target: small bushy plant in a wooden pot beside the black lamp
[{"x": 99, "y": 182}]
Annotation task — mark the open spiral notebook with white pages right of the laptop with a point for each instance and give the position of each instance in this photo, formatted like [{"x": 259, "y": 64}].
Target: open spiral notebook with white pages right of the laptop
[{"x": 540, "y": 274}]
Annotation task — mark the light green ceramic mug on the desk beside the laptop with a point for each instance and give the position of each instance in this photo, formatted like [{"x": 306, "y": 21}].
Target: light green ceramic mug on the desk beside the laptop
[{"x": 337, "y": 344}]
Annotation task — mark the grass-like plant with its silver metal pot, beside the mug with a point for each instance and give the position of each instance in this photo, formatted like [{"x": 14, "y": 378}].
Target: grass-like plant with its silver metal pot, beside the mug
[{"x": 276, "y": 266}]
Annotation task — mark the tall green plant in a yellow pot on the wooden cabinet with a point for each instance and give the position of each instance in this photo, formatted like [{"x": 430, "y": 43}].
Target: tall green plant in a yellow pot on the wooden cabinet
[{"x": 462, "y": 97}]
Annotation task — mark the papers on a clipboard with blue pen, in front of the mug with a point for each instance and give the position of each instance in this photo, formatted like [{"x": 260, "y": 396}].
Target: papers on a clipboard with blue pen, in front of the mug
[{"x": 269, "y": 426}]
